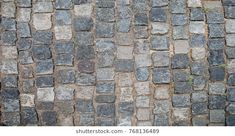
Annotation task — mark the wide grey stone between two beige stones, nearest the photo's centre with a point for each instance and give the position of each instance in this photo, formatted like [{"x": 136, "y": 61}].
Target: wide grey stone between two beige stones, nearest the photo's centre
[{"x": 122, "y": 65}]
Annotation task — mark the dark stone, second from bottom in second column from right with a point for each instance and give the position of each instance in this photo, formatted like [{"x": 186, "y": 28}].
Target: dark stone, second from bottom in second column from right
[{"x": 217, "y": 102}]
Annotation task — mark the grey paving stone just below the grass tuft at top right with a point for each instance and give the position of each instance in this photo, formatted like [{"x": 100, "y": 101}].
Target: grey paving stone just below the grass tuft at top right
[{"x": 215, "y": 17}]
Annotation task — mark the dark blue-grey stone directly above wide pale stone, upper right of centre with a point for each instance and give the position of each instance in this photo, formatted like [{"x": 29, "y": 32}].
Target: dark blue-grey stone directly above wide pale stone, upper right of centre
[{"x": 158, "y": 15}]
